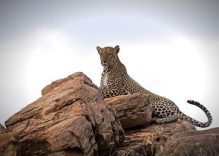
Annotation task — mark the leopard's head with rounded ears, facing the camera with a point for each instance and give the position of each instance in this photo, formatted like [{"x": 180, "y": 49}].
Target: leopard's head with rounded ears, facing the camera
[{"x": 108, "y": 56}]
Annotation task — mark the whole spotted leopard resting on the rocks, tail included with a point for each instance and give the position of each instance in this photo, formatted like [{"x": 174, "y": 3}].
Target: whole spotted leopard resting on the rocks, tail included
[{"x": 115, "y": 81}]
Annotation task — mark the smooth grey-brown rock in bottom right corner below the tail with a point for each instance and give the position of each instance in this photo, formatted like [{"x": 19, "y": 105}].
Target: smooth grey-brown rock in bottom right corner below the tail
[{"x": 195, "y": 143}]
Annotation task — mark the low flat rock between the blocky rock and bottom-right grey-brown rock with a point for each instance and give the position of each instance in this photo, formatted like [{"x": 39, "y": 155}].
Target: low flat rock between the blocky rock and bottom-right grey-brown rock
[{"x": 145, "y": 141}]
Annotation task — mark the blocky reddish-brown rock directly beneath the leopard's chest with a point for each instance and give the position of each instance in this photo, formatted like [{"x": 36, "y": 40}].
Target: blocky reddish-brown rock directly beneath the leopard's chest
[{"x": 132, "y": 110}]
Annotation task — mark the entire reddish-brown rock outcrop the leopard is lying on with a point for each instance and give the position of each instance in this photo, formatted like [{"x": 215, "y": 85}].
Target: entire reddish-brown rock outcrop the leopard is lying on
[{"x": 72, "y": 119}]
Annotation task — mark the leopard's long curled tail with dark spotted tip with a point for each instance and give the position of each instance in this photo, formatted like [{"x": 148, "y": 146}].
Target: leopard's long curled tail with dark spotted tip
[{"x": 195, "y": 122}]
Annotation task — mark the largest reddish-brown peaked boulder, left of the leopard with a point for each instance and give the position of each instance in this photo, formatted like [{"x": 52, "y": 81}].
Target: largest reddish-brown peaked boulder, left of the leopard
[{"x": 70, "y": 118}]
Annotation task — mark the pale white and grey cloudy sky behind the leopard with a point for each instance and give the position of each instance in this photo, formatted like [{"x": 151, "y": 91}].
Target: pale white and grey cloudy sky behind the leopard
[{"x": 170, "y": 48}]
